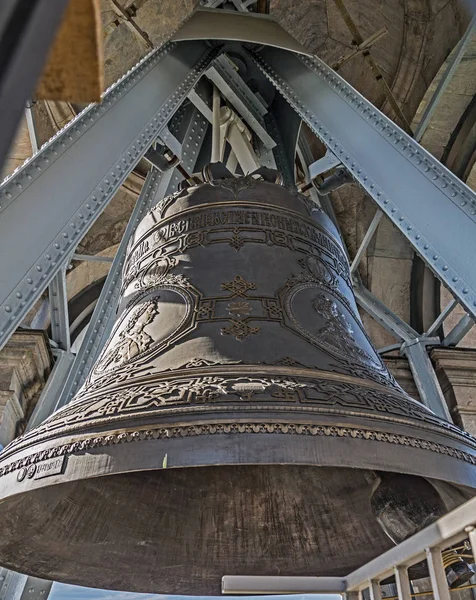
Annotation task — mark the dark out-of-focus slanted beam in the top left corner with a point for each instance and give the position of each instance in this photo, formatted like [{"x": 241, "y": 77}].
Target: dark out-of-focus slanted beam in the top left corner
[{"x": 27, "y": 30}]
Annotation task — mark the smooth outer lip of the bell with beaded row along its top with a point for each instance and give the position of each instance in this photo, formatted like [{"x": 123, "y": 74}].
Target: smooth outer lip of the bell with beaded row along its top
[{"x": 386, "y": 451}]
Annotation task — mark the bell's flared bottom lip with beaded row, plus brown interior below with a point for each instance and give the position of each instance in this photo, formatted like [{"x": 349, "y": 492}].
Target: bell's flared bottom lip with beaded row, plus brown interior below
[{"x": 172, "y": 508}]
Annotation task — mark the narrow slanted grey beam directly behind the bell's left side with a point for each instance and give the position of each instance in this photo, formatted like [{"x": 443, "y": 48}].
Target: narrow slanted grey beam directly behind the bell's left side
[{"x": 102, "y": 318}]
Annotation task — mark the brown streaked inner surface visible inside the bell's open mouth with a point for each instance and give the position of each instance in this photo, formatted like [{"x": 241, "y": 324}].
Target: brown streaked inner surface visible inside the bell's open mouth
[{"x": 178, "y": 531}]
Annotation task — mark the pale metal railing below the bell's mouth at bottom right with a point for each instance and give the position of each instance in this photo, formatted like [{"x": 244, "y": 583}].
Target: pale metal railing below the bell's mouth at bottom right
[{"x": 428, "y": 544}]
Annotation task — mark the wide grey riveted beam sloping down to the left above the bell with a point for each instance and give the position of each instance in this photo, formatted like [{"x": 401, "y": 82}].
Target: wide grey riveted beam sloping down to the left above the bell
[{"x": 51, "y": 203}]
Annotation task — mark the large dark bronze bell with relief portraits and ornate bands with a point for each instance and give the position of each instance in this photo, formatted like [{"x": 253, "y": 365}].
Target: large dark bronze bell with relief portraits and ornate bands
[{"x": 238, "y": 421}]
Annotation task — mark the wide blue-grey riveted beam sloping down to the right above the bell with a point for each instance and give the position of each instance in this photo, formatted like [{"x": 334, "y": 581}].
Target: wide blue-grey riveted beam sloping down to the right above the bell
[{"x": 411, "y": 187}]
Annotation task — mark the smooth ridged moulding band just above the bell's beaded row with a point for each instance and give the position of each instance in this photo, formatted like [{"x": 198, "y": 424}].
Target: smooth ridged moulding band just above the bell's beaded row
[{"x": 259, "y": 413}]
